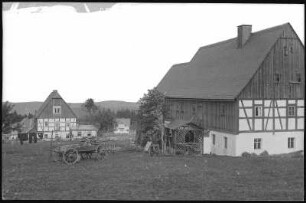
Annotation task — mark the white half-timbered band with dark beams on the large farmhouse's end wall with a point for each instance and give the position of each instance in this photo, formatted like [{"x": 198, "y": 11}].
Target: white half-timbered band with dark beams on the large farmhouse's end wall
[{"x": 271, "y": 115}]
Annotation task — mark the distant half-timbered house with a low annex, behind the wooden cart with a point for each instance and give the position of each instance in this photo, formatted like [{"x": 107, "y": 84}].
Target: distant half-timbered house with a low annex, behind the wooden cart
[{"x": 55, "y": 119}]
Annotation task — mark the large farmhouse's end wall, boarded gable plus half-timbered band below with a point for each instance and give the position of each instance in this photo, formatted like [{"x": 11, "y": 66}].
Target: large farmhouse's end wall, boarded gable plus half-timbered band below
[{"x": 278, "y": 84}]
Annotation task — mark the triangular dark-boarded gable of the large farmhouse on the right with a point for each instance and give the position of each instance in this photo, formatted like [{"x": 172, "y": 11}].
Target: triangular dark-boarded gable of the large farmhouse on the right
[{"x": 278, "y": 75}]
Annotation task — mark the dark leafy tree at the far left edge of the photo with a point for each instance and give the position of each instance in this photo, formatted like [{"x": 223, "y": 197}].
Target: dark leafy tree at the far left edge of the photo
[{"x": 10, "y": 118}]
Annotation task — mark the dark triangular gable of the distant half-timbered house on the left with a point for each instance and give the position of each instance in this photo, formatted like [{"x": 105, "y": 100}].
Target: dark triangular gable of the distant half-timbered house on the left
[{"x": 54, "y": 99}]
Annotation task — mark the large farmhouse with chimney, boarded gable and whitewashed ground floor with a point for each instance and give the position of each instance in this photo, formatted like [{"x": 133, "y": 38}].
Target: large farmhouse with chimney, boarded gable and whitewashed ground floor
[{"x": 247, "y": 92}]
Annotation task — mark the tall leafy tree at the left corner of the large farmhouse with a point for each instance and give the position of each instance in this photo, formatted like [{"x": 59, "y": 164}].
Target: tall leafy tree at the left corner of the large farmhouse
[{"x": 150, "y": 117}]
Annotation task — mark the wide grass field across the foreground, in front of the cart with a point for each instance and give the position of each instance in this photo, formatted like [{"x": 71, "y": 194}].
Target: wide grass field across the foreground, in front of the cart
[{"x": 129, "y": 174}]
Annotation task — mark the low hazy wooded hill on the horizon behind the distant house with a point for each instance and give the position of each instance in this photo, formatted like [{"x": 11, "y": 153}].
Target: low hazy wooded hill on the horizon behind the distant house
[{"x": 30, "y": 107}]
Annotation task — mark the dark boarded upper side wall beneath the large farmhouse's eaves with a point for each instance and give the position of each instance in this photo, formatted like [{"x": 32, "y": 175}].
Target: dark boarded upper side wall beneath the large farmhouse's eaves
[{"x": 213, "y": 115}]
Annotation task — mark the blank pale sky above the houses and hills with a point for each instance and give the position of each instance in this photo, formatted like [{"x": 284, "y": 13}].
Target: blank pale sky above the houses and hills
[{"x": 121, "y": 52}]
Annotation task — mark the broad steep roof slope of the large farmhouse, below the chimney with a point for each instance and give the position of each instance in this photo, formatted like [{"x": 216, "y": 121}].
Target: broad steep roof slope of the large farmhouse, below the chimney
[{"x": 220, "y": 70}]
